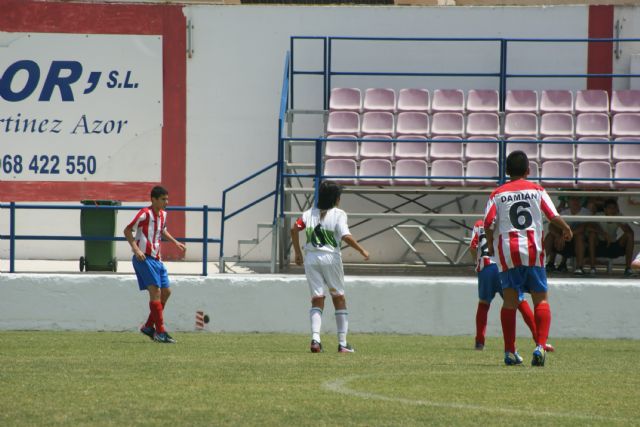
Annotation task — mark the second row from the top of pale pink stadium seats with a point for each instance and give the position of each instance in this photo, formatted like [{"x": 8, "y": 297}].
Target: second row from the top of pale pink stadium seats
[{"x": 483, "y": 124}]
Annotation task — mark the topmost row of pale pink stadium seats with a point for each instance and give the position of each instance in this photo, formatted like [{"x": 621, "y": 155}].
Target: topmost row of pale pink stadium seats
[{"x": 481, "y": 100}]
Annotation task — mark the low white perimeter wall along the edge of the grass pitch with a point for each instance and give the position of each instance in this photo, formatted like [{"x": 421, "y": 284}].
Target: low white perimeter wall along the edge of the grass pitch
[{"x": 254, "y": 303}]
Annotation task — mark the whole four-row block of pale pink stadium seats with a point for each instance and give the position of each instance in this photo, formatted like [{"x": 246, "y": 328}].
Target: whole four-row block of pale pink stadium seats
[{"x": 463, "y": 129}]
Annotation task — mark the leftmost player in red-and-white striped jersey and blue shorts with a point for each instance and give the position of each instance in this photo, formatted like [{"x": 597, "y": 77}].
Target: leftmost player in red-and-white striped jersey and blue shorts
[{"x": 150, "y": 225}]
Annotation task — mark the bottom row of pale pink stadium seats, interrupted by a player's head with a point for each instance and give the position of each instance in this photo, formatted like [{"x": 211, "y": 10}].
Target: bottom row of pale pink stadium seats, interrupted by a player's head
[{"x": 554, "y": 173}]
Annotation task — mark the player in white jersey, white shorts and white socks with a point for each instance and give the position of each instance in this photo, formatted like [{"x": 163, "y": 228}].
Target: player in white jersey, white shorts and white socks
[{"x": 325, "y": 227}]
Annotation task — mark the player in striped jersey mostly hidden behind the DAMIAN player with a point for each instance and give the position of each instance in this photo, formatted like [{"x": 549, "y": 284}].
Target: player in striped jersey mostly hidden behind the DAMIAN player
[{"x": 489, "y": 285}]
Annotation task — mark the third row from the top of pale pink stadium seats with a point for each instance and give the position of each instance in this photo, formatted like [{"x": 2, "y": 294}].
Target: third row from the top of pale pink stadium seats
[{"x": 453, "y": 147}]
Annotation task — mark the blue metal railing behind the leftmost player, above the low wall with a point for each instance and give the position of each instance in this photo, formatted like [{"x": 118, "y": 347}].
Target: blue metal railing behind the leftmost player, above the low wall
[{"x": 13, "y": 237}]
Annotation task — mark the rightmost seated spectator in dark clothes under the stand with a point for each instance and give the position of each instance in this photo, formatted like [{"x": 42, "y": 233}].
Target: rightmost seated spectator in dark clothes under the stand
[{"x": 605, "y": 241}]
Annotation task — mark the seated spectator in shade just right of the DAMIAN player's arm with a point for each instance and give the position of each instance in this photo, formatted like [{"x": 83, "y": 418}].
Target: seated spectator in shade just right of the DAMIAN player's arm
[{"x": 554, "y": 243}]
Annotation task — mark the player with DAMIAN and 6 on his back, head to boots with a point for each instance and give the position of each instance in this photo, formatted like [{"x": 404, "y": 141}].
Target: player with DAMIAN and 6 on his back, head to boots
[{"x": 514, "y": 214}]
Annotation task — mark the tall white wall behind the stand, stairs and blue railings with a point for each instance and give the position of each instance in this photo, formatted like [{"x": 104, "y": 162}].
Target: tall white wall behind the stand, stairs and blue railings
[{"x": 234, "y": 81}]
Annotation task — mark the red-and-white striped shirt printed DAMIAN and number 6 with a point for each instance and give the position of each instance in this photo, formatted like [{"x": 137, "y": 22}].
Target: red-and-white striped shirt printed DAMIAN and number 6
[{"x": 516, "y": 209}]
